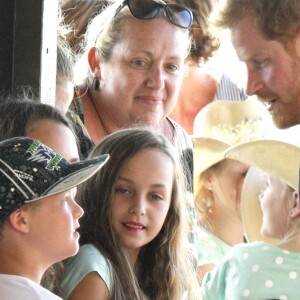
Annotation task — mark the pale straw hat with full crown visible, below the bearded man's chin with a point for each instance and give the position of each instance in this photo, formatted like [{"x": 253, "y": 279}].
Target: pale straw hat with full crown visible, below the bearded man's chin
[{"x": 221, "y": 124}]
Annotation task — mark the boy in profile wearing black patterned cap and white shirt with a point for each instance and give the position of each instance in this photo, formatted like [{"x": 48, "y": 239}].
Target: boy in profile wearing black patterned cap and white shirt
[{"x": 35, "y": 234}]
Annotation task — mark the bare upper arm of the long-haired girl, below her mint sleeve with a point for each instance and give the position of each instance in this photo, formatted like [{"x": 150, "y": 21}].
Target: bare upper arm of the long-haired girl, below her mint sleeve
[{"x": 91, "y": 287}]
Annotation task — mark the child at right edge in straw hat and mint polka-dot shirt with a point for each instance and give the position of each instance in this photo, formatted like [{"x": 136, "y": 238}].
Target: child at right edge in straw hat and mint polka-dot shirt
[{"x": 261, "y": 270}]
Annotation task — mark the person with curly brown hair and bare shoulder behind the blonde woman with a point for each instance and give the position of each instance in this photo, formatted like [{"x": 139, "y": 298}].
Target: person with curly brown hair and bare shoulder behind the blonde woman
[{"x": 199, "y": 86}]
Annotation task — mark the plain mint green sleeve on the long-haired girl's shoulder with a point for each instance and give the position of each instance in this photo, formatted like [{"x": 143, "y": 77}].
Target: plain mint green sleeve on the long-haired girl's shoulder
[{"x": 88, "y": 259}]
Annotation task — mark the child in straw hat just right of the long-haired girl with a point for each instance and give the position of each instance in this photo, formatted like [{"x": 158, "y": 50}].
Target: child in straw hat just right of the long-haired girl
[{"x": 218, "y": 181}]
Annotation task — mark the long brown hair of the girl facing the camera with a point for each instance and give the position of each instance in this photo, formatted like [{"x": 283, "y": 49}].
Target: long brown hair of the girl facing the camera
[{"x": 163, "y": 269}]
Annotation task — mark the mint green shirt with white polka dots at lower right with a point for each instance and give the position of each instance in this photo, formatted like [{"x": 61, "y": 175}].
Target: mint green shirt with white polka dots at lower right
[{"x": 256, "y": 271}]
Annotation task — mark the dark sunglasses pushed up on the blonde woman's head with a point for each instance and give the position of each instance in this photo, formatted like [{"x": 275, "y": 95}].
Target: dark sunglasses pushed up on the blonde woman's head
[{"x": 148, "y": 9}]
